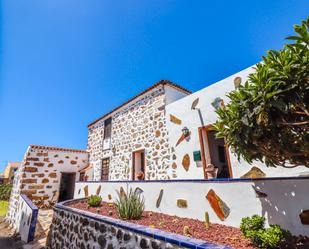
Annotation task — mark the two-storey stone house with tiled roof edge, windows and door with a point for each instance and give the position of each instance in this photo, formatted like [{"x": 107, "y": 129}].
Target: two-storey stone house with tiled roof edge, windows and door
[{"x": 131, "y": 141}]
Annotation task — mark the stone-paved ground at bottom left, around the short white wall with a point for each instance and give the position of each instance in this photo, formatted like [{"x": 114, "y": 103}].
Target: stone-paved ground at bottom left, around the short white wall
[{"x": 9, "y": 240}]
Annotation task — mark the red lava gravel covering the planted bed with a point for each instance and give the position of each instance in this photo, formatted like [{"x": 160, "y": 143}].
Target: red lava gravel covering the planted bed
[{"x": 216, "y": 233}]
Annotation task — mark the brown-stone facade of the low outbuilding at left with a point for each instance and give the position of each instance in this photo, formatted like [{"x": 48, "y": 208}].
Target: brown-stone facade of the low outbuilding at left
[{"x": 39, "y": 175}]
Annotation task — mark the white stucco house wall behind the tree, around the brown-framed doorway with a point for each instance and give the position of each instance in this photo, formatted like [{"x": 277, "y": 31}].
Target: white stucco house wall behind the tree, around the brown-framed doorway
[{"x": 190, "y": 118}]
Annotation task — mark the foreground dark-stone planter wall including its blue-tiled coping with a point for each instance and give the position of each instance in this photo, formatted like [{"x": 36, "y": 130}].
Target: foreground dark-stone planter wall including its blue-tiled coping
[{"x": 73, "y": 228}]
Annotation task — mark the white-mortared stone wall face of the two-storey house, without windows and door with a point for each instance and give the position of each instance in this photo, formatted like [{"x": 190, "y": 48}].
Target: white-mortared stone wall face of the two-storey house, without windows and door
[{"x": 139, "y": 125}]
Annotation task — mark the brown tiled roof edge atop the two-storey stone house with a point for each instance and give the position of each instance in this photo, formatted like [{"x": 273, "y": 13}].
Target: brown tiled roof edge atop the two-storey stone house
[{"x": 161, "y": 82}]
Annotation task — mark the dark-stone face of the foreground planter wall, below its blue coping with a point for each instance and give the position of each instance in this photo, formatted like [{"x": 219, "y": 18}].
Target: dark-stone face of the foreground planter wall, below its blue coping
[{"x": 73, "y": 231}]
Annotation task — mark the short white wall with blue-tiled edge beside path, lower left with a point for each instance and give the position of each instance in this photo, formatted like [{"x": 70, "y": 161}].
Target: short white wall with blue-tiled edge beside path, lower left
[{"x": 26, "y": 219}]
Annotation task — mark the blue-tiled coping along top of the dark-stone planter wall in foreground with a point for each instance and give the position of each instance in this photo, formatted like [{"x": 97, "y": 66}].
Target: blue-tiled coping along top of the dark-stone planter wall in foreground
[{"x": 168, "y": 237}]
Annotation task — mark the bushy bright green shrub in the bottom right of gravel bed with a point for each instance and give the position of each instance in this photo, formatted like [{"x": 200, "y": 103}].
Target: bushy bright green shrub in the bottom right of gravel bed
[{"x": 253, "y": 228}]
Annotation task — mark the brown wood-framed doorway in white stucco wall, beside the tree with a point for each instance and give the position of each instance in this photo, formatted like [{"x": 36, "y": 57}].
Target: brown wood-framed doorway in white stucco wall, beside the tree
[{"x": 215, "y": 154}]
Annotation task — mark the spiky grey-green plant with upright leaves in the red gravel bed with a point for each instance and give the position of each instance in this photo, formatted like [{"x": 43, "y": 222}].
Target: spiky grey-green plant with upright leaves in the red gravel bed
[{"x": 130, "y": 205}]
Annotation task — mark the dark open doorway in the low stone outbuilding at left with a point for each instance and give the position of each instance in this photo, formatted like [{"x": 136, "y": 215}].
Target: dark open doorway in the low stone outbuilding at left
[{"x": 67, "y": 184}]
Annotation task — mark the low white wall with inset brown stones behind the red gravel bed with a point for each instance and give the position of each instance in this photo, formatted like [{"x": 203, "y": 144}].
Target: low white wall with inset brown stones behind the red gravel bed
[{"x": 283, "y": 201}]
